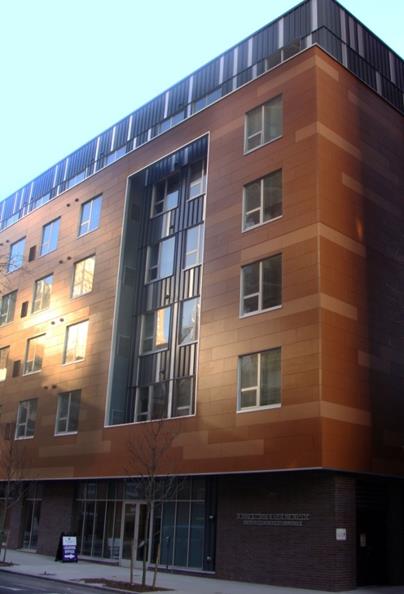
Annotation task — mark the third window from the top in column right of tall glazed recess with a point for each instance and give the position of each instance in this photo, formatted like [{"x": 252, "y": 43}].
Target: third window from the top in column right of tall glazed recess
[{"x": 261, "y": 285}]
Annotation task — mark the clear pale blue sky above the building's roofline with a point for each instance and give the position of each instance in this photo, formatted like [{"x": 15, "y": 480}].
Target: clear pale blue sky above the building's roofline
[{"x": 72, "y": 68}]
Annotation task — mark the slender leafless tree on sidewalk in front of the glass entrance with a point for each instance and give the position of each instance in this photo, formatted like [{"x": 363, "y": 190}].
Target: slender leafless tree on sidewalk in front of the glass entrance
[{"x": 151, "y": 468}]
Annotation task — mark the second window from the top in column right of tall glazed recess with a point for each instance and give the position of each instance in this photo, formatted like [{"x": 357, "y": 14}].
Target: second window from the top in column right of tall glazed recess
[{"x": 262, "y": 200}]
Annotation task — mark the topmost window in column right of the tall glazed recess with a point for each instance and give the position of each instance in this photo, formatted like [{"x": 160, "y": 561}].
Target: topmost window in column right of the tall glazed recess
[{"x": 263, "y": 124}]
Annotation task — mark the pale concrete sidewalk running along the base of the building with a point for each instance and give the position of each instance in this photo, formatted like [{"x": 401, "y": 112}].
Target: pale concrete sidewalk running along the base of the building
[{"x": 42, "y": 566}]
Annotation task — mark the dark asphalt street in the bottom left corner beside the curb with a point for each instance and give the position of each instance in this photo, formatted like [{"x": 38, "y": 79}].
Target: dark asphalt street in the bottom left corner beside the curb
[{"x": 22, "y": 584}]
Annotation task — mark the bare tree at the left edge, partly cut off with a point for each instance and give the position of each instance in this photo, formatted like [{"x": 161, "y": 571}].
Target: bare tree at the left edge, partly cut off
[{"x": 13, "y": 463}]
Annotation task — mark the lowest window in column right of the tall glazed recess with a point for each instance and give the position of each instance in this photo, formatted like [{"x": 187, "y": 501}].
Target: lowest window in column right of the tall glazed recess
[{"x": 260, "y": 379}]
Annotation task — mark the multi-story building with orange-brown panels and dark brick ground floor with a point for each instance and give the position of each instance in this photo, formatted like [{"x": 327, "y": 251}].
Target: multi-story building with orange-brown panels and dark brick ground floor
[{"x": 224, "y": 264}]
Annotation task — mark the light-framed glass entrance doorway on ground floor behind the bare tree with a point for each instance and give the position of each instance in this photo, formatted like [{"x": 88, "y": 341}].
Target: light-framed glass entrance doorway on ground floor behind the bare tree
[{"x": 134, "y": 532}]
